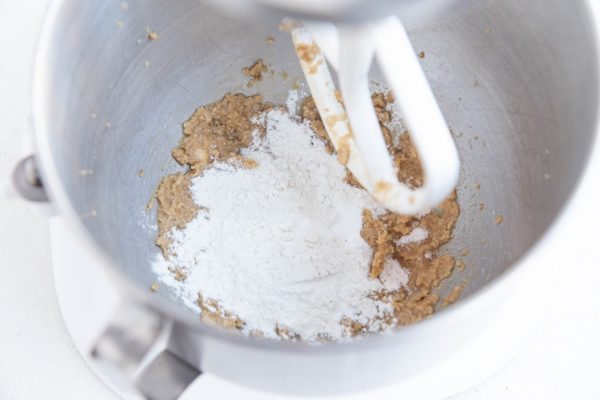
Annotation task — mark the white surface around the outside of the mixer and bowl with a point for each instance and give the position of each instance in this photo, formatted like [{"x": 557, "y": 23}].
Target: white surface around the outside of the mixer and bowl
[{"x": 38, "y": 360}]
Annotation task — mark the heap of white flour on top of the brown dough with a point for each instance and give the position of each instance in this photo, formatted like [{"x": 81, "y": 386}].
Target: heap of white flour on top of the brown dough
[{"x": 279, "y": 245}]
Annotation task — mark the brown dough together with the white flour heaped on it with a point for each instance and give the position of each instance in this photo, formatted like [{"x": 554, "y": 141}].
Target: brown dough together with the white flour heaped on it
[{"x": 268, "y": 234}]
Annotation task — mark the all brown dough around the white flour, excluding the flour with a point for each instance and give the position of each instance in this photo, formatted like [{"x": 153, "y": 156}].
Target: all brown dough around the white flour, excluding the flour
[{"x": 218, "y": 131}]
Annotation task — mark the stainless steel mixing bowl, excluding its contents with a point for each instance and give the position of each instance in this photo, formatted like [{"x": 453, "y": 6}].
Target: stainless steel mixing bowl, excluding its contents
[{"x": 517, "y": 81}]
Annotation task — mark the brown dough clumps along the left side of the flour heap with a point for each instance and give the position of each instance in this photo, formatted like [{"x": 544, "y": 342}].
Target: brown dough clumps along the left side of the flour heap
[{"x": 215, "y": 132}]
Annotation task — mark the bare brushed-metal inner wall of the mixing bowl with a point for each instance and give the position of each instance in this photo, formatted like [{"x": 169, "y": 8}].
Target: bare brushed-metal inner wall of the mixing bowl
[{"x": 516, "y": 81}]
